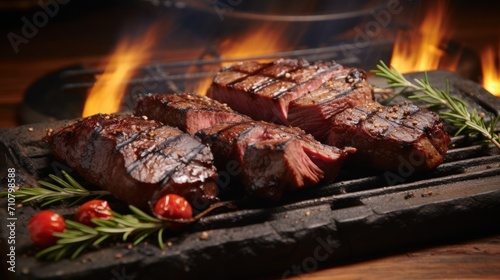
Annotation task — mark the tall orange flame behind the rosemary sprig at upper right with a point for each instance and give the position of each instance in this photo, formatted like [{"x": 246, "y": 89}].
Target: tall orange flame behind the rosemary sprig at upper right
[{"x": 419, "y": 51}]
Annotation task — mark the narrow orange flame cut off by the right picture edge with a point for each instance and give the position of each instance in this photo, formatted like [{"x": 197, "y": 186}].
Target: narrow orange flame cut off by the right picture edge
[{"x": 490, "y": 63}]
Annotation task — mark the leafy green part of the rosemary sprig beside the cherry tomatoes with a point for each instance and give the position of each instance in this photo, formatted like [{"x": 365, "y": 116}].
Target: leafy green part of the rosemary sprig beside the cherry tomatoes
[{"x": 77, "y": 237}]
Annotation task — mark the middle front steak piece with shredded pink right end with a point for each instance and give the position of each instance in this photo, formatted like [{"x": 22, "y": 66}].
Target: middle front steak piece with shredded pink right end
[{"x": 272, "y": 159}]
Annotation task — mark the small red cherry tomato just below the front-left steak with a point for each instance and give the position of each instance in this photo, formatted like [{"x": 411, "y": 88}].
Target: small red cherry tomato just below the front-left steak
[{"x": 172, "y": 206}]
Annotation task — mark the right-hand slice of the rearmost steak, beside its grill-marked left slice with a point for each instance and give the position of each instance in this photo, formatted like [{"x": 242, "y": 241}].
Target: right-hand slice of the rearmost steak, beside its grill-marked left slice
[{"x": 313, "y": 111}]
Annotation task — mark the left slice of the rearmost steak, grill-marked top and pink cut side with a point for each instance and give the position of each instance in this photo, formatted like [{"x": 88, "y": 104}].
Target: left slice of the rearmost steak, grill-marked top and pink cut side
[{"x": 263, "y": 90}]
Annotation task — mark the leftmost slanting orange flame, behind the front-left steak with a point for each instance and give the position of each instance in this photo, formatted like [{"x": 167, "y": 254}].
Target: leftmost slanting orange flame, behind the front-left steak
[{"x": 106, "y": 94}]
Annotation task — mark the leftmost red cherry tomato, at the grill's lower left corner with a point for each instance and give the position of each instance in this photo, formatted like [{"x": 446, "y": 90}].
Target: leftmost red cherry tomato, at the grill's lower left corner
[{"x": 42, "y": 226}]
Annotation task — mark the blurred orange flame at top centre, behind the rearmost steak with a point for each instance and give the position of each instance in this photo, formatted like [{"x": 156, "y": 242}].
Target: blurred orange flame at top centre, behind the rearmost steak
[{"x": 266, "y": 39}]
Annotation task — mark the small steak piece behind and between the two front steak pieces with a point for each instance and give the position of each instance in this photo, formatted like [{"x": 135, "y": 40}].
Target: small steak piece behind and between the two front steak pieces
[{"x": 188, "y": 111}]
